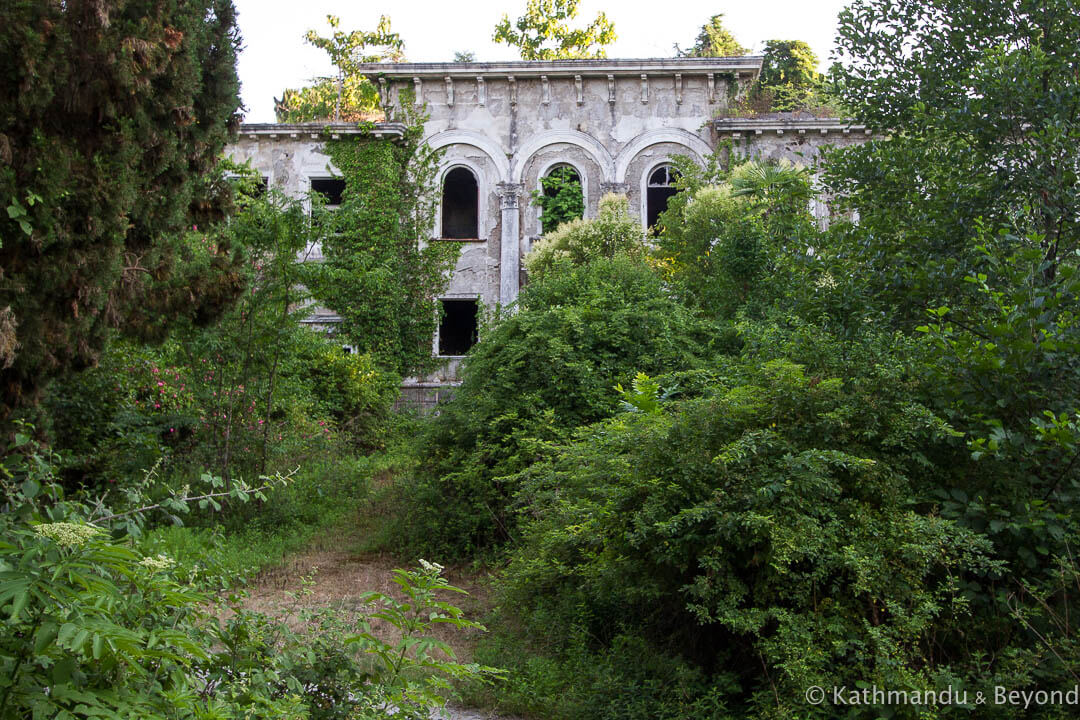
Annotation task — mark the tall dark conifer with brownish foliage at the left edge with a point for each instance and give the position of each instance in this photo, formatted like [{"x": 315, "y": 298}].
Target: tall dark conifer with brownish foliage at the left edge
[{"x": 113, "y": 117}]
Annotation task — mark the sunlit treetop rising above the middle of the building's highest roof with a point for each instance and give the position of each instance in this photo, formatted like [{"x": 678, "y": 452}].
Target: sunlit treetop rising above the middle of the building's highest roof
[{"x": 544, "y": 33}]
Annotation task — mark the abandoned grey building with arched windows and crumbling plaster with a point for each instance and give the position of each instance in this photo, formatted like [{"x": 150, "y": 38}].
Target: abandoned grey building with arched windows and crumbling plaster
[{"x": 615, "y": 124}]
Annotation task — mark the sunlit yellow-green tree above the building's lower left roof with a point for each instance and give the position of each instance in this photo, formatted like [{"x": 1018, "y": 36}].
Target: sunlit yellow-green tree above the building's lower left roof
[{"x": 349, "y": 97}]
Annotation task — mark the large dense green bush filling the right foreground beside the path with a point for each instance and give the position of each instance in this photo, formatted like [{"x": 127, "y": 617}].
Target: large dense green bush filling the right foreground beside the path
[{"x": 774, "y": 520}]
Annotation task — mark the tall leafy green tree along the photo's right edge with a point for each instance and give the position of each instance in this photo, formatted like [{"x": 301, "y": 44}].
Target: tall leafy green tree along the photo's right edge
[{"x": 969, "y": 232}]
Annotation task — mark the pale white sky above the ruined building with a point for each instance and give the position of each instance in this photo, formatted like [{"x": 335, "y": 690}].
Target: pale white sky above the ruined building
[{"x": 276, "y": 56}]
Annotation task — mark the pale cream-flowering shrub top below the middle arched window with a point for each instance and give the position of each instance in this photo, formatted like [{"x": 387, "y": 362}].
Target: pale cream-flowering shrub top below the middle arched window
[{"x": 613, "y": 233}]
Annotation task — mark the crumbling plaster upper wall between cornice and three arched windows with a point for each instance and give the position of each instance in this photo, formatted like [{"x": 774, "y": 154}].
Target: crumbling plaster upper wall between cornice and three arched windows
[{"x": 544, "y": 121}]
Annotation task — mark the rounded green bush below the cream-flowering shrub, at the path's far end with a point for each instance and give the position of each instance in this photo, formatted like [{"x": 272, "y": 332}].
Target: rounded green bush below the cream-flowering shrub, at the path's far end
[{"x": 538, "y": 372}]
